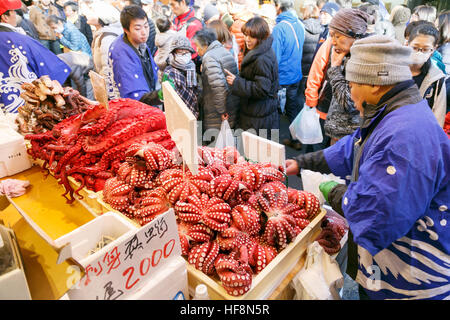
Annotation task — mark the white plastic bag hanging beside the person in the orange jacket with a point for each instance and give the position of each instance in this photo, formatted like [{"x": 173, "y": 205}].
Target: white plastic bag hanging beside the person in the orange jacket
[{"x": 306, "y": 126}]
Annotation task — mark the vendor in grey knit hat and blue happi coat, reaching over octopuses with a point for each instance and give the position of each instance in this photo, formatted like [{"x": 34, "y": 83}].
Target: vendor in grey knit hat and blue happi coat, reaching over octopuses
[{"x": 397, "y": 165}]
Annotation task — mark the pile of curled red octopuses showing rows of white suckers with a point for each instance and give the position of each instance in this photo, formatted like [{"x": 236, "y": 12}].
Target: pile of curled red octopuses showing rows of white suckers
[{"x": 233, "y": 216}]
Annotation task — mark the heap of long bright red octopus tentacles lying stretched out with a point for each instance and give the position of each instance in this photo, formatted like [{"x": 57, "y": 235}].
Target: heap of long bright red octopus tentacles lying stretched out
[{"x": 91, "y": 146}]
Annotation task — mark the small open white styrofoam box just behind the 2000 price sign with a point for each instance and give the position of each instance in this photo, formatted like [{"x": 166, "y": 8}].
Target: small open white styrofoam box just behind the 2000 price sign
[{"x": 86, "y": 237}]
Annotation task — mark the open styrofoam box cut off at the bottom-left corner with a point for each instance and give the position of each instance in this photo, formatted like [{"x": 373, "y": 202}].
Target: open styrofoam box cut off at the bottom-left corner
[{"x": 13, "y": 284}]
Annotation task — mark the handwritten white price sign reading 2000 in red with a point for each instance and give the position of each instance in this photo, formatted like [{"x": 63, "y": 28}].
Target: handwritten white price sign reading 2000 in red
[{"x": 130, "y": 264}]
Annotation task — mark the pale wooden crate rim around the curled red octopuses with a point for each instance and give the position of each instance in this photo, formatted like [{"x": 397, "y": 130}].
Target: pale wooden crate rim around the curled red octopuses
[{"x": 270, "y": 278}]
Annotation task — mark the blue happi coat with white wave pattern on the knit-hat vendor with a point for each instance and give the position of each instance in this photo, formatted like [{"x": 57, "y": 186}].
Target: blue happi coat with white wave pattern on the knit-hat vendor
[{"x": 398, "y": 208}]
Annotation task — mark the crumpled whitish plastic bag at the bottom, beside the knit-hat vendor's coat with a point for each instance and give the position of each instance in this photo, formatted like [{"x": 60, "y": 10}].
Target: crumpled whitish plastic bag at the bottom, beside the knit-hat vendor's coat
[{"x": 320, "y": 278}]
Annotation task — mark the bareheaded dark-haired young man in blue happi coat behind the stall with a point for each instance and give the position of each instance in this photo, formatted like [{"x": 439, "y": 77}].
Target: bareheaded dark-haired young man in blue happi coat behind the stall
[{"x": 134, "y": 70}]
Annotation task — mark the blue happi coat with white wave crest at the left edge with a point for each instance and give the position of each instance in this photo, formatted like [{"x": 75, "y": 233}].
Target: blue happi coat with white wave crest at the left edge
[{"x": 23, "y": 59}]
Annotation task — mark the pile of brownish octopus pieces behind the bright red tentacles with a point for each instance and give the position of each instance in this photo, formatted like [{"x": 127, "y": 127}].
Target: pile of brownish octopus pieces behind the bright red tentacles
[{"x": 46, "y": 104}]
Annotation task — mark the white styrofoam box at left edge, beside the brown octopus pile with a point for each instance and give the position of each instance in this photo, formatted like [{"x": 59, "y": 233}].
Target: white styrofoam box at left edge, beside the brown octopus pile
[{"x": 13, "y": 153}]
